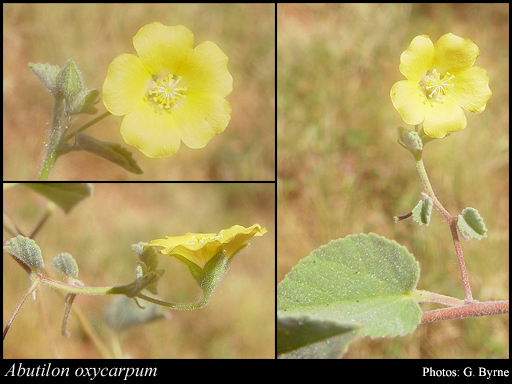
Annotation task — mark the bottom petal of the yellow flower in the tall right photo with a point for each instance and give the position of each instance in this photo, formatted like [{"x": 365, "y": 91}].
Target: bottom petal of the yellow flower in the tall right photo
[{"x": 444, "y": 118}]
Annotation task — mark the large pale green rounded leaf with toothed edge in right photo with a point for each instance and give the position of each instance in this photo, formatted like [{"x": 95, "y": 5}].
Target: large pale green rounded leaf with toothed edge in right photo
[{"x": 360, "y": 280}]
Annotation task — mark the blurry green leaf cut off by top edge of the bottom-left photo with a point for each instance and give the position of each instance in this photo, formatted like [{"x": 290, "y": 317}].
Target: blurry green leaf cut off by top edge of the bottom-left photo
[{"x": 65, "y": 195}]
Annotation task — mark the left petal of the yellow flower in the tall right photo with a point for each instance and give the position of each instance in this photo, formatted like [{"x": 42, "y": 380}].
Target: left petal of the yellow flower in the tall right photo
[{"x": 409, "y": 101}]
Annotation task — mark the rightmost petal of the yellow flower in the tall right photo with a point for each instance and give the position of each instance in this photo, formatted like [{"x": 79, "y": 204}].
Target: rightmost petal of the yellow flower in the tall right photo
[{"x": 471, "y": 89}]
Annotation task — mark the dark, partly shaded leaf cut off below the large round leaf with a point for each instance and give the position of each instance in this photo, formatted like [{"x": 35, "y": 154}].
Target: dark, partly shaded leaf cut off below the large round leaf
[{"x": 303, "y": 337}]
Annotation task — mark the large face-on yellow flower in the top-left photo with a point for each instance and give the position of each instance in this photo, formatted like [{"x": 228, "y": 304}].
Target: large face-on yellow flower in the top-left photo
[{"x": 171, "y": 92}]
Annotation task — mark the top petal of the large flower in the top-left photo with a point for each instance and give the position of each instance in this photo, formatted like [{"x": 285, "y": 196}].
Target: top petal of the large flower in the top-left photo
[{"x": 163, "y": 49}]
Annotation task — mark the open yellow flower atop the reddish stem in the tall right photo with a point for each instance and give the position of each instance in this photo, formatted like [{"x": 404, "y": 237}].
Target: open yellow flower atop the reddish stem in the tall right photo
[{"x": 441, "y": 80}]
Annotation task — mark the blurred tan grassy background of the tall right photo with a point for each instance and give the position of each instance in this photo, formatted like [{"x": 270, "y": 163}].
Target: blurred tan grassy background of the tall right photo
[{"x": 341, "y": 170}]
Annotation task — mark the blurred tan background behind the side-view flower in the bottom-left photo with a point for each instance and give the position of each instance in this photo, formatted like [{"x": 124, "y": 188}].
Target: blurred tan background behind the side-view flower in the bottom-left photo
[{"x": 237, "y": 323}]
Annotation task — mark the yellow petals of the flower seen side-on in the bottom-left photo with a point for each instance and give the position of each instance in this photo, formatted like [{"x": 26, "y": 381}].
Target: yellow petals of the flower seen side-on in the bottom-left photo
[{"x": 199, "y": 248}]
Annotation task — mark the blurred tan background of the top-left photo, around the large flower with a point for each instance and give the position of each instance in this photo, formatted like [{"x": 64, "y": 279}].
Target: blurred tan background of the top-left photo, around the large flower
[{"x": 93, "y": 35}]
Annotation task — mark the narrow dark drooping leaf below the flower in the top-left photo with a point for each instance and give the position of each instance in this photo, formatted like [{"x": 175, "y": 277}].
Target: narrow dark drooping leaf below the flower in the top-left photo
[{"x": 112, "y": 152}]
